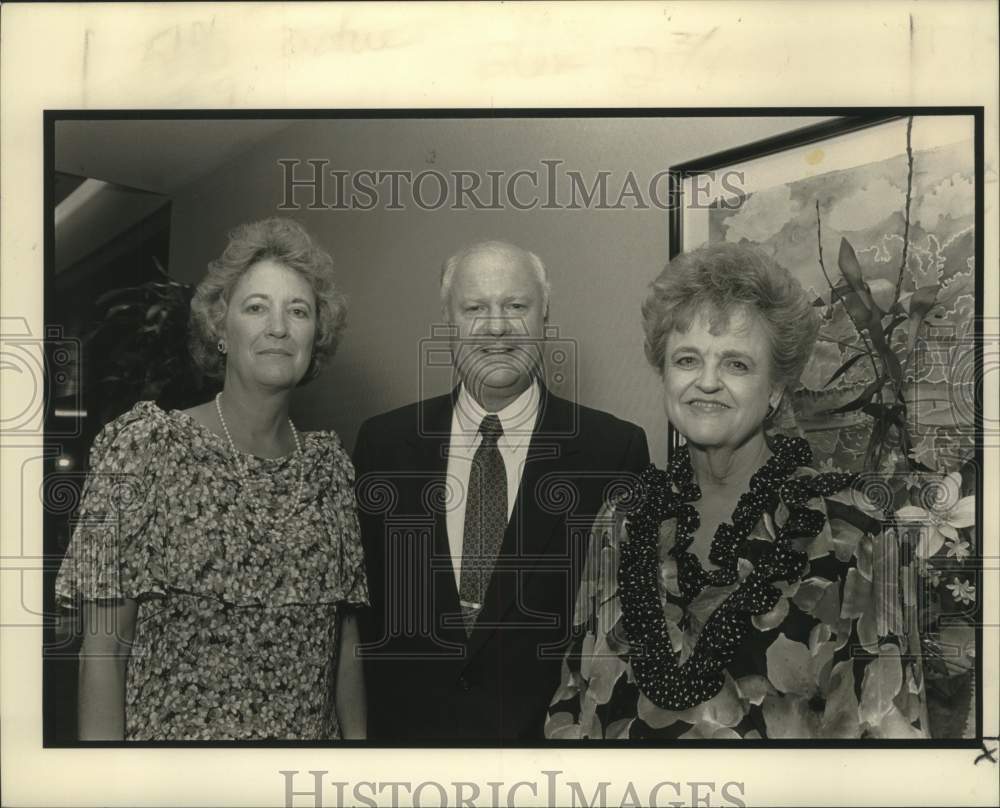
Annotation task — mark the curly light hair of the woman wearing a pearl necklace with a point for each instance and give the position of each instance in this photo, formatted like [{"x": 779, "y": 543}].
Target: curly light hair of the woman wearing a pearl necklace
[{"x": 287, "y": 243}]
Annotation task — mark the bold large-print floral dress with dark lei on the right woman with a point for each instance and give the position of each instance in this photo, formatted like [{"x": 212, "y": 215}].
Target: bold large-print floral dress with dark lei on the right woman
[{"x": 806, "y": 629}]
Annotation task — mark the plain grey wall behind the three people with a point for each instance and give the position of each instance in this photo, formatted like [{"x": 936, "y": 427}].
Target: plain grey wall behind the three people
[{"x": 599, "y": 261}]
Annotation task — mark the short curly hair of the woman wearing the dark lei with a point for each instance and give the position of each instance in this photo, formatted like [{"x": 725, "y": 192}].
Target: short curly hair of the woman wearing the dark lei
[{"x": 719, "y": 279}]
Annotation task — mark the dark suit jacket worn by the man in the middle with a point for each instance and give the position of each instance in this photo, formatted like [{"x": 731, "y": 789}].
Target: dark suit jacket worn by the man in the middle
[{"x": 426, "y": 679}]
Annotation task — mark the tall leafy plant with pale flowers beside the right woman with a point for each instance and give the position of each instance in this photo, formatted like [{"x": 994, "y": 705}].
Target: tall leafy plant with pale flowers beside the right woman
[{"x": 932, "y": 511}]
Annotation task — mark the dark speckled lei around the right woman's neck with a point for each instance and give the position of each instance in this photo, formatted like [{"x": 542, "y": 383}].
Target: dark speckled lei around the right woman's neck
[{"x": 662, "y": 495}]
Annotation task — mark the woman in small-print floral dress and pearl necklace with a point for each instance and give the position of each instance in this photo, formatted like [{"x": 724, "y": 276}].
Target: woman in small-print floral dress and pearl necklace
[{"x": 217, "y": 556}]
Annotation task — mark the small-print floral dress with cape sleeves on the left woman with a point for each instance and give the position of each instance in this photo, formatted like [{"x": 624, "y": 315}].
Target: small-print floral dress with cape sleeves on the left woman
[{"x": 236, "y": 631}]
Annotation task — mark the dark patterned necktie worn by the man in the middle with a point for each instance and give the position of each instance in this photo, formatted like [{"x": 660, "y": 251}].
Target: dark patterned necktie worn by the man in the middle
[{"x": 485, "y": 520}]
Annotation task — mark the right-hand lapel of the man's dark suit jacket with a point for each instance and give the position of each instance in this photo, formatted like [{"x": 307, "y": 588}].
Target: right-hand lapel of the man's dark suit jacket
[{"x": 532, "y": 525}]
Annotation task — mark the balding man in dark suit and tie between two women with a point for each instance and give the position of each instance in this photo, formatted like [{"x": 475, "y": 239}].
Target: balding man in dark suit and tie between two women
[{"x": 475, "y": 509}]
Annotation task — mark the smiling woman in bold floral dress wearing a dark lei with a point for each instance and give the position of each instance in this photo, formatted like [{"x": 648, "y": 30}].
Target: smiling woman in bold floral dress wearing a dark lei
[{"x": 738, "y": 593}]
